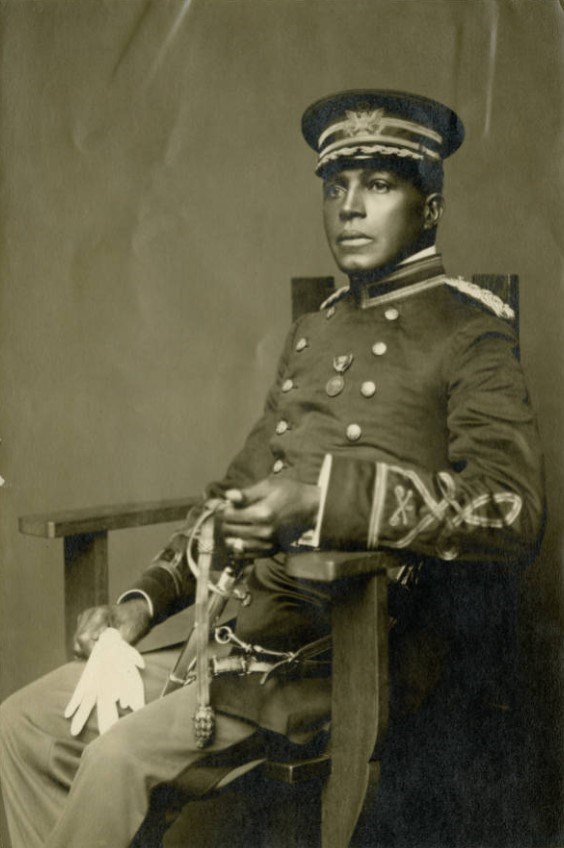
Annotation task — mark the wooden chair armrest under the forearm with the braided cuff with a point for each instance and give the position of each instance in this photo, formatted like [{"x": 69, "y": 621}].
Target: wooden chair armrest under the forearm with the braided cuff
[{"x": 330, "y": 566}]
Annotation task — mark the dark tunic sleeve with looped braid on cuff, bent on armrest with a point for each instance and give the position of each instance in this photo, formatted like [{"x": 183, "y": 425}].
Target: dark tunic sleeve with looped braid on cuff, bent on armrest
[{"x": 488, "y": 505}]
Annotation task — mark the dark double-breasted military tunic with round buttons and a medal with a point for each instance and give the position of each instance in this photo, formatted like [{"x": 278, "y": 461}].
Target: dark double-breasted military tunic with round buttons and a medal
[{"x": 405, "y": 399}]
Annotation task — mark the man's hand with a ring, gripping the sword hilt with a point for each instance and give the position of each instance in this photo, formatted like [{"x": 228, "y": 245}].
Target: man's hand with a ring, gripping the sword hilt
[{"x": 268, "y": 515}]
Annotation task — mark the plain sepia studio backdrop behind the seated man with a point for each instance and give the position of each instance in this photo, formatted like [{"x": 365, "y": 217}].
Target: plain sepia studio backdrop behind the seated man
[{"x": 156, "y": 197}]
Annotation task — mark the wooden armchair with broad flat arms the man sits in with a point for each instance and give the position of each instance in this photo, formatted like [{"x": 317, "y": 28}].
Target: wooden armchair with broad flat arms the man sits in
[{"x": 359, "y": 616}]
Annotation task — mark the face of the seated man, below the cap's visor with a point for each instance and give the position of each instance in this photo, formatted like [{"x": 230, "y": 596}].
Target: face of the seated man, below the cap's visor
[{"x": 371, "y": 217}]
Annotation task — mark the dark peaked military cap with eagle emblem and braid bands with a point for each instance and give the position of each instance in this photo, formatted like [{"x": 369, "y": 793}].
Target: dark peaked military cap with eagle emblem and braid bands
[{"x": 365, "y": 123}]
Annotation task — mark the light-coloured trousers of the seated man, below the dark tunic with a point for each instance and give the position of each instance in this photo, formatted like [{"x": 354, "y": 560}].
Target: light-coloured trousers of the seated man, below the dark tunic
[{"x": 93, "y": 791}]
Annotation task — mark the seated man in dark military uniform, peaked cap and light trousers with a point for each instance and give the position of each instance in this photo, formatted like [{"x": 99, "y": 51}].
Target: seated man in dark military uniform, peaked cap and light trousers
[{"x": 399, "y": 419}]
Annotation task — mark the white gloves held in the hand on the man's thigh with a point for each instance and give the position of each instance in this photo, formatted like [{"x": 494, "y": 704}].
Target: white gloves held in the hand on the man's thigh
[{"x": 111, "y": 675}]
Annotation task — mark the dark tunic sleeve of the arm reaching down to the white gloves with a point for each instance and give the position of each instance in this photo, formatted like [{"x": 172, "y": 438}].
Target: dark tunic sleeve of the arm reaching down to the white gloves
[{"x": 168, "y": 582}]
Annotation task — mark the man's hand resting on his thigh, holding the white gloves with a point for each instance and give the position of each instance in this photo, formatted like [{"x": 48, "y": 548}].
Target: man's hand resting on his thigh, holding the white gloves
[{"x": 132, "y": 619}]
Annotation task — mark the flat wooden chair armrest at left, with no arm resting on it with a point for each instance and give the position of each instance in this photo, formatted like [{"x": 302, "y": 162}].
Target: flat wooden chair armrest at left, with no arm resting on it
[{"x": 103, "y": 518}]
